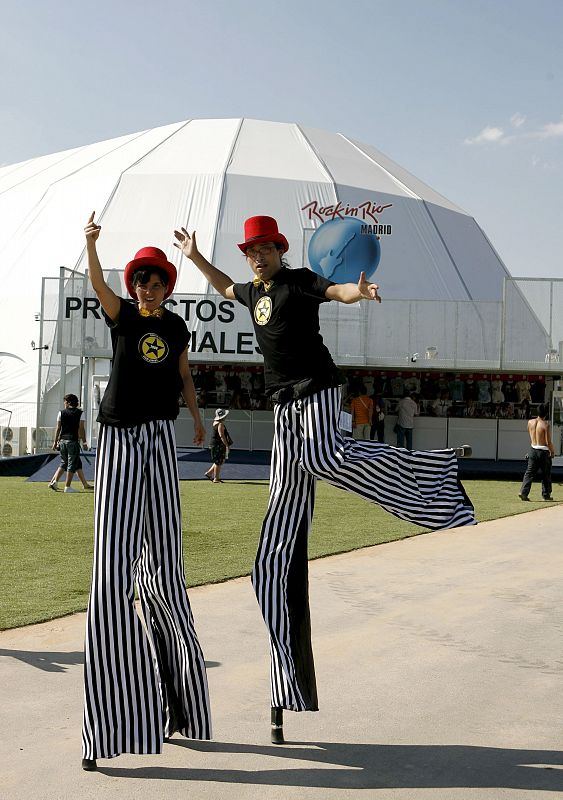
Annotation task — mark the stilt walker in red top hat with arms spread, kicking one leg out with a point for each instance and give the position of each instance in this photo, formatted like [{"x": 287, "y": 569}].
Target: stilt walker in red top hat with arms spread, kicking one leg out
[{"x": 304, "y": 384}]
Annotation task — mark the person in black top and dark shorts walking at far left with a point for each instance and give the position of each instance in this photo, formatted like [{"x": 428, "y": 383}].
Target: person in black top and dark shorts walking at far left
[{"x": 68, "y": 435}]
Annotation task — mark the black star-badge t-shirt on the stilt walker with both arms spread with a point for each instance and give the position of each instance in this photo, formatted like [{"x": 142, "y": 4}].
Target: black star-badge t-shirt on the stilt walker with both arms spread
[{"x": 286, "y": 322}]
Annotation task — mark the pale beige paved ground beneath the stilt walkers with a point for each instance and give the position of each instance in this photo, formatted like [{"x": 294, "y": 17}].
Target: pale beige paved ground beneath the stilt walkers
[{"x": 440, "y": 671}]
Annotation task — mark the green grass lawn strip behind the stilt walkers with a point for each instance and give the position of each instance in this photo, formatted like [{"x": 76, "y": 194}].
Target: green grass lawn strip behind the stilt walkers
[{"x": 46, "y": 537}]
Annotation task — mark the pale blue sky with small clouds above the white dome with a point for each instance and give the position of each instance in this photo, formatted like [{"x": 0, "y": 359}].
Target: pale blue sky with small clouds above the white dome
[{"x": 468, "y": 96}]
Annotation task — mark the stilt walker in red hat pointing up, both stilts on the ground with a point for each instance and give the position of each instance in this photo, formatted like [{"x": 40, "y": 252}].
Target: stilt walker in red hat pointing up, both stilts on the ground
[{"x": 140, "y": 686}]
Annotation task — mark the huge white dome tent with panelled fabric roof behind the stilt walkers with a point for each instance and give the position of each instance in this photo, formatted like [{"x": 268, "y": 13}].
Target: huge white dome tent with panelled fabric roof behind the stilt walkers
[{"x": 442, "y": 281}]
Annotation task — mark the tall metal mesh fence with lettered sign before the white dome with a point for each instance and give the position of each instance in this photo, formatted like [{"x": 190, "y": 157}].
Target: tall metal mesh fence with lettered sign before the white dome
[{"x": 522, "y": 333}]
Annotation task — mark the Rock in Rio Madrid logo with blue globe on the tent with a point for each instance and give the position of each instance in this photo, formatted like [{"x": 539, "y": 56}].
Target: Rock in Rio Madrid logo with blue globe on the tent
[{"x": 347, "y": 241}]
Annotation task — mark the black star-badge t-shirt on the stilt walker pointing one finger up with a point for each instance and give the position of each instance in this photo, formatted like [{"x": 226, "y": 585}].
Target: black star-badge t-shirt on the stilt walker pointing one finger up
[{"x": 145, "y": 381}]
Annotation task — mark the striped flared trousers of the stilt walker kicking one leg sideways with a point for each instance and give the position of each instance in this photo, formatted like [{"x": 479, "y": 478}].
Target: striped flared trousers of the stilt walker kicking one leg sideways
[{"x": 419, "y": 486}]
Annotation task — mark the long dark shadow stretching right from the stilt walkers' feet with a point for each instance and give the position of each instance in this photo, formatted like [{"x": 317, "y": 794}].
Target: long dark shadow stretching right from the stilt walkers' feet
[{"x": 373, "y": 766}]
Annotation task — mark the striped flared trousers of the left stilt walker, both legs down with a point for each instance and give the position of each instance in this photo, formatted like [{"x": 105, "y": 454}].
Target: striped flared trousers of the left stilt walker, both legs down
[{"x": 140, "y": 683}]
